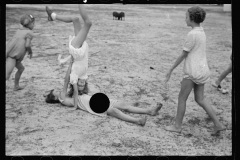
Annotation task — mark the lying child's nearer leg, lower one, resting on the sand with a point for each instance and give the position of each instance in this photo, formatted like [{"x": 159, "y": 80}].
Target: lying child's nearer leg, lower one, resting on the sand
[{"x": 120, "y": 115}]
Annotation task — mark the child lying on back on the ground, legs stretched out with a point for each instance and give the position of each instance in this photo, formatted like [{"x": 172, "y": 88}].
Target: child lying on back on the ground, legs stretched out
[{"x": 114, "y": 109}]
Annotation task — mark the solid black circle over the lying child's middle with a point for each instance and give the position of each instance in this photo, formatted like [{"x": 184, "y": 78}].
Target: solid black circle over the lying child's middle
[{"x": 99, "y": 103}]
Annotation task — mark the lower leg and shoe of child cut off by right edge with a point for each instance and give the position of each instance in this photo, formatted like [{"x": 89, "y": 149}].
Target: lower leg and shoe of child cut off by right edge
[{"x": 224, "y": 74}]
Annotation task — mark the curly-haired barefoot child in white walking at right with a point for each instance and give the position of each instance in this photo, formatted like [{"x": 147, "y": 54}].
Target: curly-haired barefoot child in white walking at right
[{"x": 196, "y": 71}]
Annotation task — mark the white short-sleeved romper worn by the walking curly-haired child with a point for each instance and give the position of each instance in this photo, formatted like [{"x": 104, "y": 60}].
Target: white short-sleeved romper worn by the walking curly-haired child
[{"x": 195, "y": 64}]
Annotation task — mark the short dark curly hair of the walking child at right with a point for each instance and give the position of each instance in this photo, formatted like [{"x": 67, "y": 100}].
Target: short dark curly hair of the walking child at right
[{"x": 197, "y": 14}]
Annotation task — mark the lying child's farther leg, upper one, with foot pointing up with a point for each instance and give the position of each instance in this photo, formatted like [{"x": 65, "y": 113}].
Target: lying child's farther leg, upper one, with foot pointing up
[{"x": 128, "y": 108}]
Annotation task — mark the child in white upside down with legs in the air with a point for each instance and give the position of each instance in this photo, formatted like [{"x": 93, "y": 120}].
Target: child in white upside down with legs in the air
[{"x": 78, "y": 47}]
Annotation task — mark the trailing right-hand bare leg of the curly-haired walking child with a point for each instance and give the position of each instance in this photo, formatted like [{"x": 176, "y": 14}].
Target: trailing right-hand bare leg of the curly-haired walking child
[{"x": 199, "y": 98}]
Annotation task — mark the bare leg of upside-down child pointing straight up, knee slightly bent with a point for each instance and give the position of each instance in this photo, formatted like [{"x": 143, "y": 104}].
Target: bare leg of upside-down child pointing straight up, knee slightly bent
[{"x": 82, "y": 34}]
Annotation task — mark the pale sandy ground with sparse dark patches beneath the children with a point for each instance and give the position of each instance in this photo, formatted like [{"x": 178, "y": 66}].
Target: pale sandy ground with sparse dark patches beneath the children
[{"x": 121, "y": 54}]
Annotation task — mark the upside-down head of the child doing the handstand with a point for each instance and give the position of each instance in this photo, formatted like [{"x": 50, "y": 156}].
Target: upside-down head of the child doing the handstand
[{"x": 82, "y": 85}]
